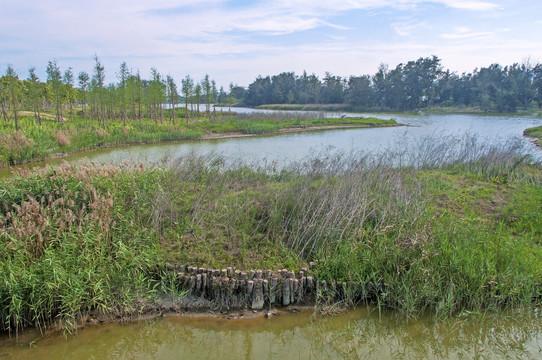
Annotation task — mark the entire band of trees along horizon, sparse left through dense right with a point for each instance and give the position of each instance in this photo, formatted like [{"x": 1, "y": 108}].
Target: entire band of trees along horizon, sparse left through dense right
[{"x": 417, "y": 84}]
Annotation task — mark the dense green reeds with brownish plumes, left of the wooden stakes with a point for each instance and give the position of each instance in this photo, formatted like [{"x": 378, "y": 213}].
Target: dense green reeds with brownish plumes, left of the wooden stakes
[{"x": 71, "y": 244}]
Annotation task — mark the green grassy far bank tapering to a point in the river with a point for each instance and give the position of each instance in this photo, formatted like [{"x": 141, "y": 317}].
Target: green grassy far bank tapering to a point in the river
[{"x": 57, "y": 139}]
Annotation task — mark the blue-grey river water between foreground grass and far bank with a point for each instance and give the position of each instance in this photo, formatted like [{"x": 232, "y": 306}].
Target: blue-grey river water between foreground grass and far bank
[{"x": 283, "y": 149}]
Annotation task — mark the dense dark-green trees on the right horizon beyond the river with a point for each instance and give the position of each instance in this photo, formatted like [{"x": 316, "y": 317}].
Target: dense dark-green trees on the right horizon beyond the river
[{"x": 417, "y": 84}]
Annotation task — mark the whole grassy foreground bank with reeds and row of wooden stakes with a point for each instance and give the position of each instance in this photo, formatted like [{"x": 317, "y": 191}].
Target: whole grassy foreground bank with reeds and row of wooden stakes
[{"x": 457, "y": 231}]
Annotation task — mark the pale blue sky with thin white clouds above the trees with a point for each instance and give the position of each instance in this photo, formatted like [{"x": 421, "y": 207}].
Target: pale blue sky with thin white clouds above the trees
[{"x": 238, "y": 40}]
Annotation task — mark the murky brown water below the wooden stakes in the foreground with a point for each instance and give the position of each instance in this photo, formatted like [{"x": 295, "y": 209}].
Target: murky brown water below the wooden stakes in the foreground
[{"x": 355, "y": 334}]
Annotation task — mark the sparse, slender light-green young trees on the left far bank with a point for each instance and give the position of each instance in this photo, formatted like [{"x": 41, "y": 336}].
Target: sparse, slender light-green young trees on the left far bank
[{"x": 130, "y": 98}]
